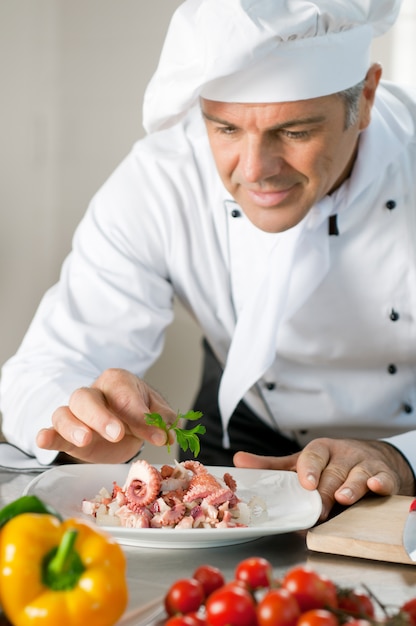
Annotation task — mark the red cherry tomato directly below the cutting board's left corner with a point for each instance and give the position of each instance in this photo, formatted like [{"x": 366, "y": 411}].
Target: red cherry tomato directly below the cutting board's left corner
[{"x": 311, "y": 590}]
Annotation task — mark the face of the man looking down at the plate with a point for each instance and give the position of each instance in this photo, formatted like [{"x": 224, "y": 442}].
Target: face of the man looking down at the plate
[{"x": 278, "y": 160}]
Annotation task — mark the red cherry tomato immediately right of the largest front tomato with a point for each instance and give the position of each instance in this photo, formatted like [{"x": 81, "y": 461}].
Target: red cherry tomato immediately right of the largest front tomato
[{"x": 278, "y": 608}]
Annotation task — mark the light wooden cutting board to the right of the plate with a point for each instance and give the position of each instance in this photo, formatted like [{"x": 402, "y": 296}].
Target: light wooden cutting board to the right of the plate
[{"x": 370, "y": 529}]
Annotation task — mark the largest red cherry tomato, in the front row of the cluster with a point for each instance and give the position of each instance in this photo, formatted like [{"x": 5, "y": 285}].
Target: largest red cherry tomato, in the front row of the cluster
[{"x": 230, "y": 606}]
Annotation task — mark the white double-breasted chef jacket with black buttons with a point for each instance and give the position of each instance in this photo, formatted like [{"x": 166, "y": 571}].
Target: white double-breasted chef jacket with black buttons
[{"x": 163, "y": 224}]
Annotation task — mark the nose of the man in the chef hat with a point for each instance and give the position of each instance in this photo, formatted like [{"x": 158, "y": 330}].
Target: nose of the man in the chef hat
[{"x": 259, "y": 160}]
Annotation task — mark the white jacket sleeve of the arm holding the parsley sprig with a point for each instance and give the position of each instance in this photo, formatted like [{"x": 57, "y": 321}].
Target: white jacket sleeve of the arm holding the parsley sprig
[{"x": 110, "y": 307}]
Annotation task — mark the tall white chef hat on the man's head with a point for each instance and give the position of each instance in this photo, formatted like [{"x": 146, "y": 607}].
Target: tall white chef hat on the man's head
[{"x": 262, "y": 51}]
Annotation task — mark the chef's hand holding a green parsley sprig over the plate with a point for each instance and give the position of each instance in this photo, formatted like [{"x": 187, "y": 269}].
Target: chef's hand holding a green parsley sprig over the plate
[{"x": 105, "y": 423}]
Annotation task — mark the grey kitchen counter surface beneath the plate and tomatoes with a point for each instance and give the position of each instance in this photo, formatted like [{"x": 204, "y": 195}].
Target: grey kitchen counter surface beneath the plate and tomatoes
[{"x": 152, "y": 570}]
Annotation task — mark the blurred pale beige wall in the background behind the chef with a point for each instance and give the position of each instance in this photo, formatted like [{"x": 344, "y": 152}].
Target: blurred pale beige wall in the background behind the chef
[{"x": 72, "y": 78}]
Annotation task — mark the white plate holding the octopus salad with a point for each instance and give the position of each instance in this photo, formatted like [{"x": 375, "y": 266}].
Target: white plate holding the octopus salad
[{"x": 290, "y": 507}]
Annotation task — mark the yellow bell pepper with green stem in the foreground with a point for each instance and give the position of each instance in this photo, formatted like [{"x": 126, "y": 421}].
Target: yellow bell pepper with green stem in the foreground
[{"x": 67, "y": 573}]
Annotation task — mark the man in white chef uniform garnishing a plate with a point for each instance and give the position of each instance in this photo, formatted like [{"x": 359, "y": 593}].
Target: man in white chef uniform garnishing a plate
[{"x": 275, "y": 196}]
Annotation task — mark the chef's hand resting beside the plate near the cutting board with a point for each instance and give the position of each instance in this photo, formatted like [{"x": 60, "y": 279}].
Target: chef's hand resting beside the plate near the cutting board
[{"x": 343, "y": 470}]
